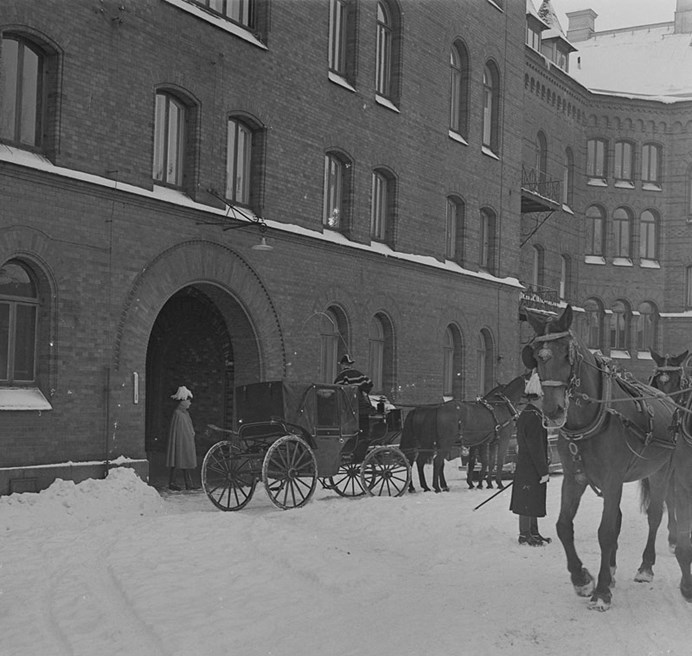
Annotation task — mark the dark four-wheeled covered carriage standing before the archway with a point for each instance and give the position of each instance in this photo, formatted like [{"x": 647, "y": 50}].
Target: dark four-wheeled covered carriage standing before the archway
[{"x": 289, "y": 435}]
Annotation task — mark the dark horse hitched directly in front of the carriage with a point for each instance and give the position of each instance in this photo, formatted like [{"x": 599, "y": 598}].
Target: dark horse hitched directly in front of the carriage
[{"x": 433, "y": 430}]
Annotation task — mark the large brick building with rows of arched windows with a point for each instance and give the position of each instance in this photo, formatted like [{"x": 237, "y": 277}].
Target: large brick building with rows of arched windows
[{"x": 389, "y": 153}]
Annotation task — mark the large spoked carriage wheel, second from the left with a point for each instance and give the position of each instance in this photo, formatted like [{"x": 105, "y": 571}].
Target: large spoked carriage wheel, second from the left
[{"x": 289, "y": 472}]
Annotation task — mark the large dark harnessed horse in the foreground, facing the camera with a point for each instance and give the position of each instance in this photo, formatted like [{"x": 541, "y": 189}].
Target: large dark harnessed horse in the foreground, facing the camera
[{"x": 613, "y": 430}]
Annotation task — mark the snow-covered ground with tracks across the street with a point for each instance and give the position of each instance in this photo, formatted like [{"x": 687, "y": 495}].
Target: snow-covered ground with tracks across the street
[{"x": 111, "y": 567}]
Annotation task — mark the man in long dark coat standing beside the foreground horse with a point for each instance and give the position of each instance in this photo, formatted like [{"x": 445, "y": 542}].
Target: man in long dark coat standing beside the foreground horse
[{"x": 531, "y": 474}]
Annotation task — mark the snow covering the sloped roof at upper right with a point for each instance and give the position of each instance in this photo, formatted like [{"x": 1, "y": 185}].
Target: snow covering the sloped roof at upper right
[{"x": 650, "y": 62}]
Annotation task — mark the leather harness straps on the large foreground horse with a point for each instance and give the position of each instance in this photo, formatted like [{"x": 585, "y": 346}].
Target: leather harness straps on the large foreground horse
[{"x": 644, "y": 428}]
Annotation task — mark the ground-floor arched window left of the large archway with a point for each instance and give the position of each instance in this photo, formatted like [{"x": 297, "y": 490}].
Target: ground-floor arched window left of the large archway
[{"x": 18, "y": 324}]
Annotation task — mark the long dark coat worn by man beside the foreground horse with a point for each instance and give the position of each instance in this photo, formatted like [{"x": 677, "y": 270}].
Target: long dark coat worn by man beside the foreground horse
[{"x": 528, "y": 494}]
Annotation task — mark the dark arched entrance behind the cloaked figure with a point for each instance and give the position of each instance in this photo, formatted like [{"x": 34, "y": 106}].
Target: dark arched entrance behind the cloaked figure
[{"x": 192, "y": 343}]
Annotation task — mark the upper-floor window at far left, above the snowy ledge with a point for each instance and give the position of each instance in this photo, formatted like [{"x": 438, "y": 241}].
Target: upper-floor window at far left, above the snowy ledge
[{"x": 21, "y": 92}]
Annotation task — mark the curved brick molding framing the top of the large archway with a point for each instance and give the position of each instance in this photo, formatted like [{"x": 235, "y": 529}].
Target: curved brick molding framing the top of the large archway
[{"x": 190, "y": 263}]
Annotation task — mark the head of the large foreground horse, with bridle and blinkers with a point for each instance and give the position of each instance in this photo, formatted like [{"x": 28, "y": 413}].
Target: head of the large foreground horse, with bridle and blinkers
[{"x": 552, "y": 352}]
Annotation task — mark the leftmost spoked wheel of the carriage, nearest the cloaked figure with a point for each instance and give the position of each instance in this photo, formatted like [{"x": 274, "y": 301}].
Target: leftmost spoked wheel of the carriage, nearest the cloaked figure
[{"x": 227, "y": 478}]
